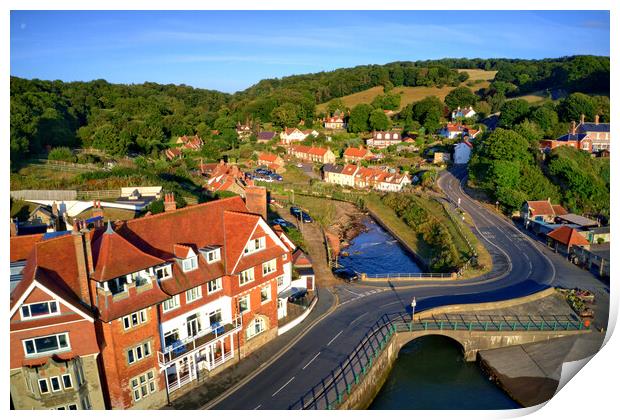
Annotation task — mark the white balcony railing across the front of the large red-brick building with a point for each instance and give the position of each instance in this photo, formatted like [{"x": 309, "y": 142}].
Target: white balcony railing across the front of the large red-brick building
[{"x": 204, "y": 338}]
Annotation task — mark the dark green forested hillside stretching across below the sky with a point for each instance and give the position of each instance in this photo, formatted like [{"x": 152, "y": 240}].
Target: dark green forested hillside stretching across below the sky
[{"x": 143, "y": 118}]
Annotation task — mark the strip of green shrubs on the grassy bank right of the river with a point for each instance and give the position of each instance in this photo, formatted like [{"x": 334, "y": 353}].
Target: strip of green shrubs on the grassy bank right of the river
[{"x": 429, "y": 229}]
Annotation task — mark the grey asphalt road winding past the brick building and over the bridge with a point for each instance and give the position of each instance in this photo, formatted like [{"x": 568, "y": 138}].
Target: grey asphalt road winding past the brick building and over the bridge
[{"x": 521, "y": 267}]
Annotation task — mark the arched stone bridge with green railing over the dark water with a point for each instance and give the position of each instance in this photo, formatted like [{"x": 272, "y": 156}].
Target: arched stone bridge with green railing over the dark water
[{"x": 360, "y": 377}]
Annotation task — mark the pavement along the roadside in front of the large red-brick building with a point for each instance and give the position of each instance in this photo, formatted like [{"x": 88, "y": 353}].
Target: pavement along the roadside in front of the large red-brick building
[{"x": 217, "y": 388}]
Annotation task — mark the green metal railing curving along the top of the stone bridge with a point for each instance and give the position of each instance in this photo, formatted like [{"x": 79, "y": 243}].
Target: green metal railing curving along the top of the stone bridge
[{"x": 335, "y": 388}]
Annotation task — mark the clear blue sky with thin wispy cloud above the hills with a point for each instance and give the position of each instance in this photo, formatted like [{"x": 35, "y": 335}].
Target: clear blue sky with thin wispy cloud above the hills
[{"x": 230, "y": 51}]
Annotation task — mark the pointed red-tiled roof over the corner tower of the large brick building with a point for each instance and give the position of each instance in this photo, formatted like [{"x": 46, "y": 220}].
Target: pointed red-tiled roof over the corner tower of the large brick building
[{"x": 114, "y": 256}]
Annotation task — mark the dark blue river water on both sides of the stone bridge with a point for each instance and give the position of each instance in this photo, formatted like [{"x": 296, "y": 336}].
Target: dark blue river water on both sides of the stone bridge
[{"x": 430, "y": 372}]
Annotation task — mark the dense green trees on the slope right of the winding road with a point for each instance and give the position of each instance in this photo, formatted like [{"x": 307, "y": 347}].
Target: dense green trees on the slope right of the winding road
[{"x": 508, "y": 165}]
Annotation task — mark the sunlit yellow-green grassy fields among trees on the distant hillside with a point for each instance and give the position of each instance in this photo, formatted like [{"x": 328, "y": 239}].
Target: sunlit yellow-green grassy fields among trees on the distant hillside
[{"x": 413, "y": 94}]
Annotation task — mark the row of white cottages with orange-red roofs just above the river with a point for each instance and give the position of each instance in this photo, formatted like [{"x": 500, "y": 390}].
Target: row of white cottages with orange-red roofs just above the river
[{"x": 382, "y": 179}]
